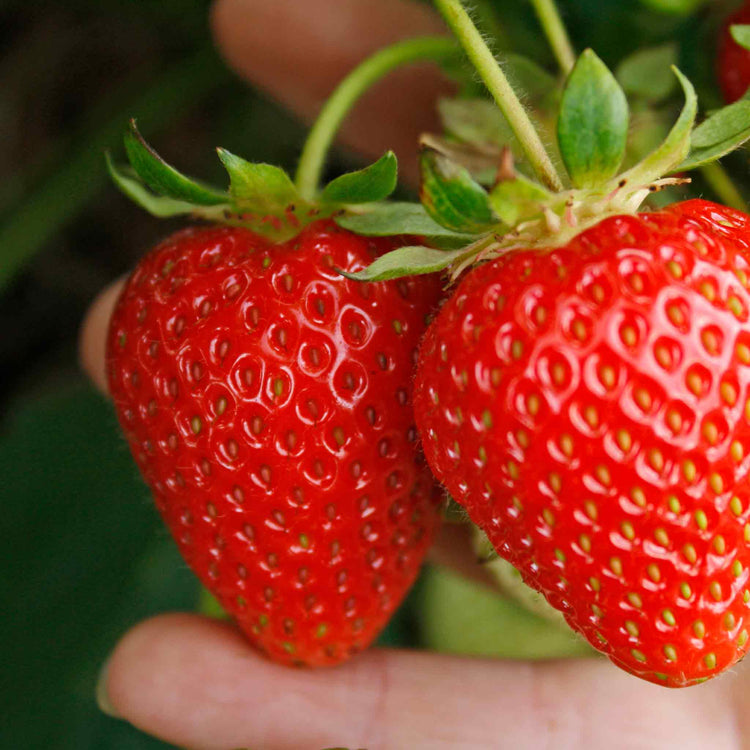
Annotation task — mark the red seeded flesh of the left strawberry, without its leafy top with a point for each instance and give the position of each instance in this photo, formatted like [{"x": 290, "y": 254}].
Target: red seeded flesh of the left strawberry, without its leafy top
[{"x": 267, "y": 402}]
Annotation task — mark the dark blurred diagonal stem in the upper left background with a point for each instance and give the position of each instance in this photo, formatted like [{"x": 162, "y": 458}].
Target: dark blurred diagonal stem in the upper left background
[{"x": 56, "y": 201}]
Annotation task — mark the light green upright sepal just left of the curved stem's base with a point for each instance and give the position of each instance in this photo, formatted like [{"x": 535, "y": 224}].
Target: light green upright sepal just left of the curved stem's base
[{"x": 260, "y": 188}]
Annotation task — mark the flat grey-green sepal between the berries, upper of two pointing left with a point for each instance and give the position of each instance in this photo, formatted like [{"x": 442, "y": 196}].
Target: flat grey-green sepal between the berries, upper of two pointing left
[{"x": 387, "y": 219}]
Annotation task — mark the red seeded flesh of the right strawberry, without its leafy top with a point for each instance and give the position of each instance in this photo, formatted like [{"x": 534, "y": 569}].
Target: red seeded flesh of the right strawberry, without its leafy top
[{"x": 590, "y": 407}]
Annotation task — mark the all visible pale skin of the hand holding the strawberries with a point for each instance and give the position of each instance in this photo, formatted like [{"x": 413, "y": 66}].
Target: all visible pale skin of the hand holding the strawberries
[{"x": 198, "y": 684}]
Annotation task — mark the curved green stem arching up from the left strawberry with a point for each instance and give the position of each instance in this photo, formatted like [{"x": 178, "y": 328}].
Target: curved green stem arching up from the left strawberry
[{"x": 437, "y": 49}]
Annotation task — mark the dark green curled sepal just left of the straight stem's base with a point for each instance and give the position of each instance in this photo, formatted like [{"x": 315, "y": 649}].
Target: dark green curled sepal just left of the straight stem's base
[{"x": 452, "y": 197}]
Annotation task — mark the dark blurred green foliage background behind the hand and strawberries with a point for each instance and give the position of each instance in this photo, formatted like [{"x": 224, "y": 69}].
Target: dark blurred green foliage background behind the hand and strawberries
[{"x": 83, "y": 554}]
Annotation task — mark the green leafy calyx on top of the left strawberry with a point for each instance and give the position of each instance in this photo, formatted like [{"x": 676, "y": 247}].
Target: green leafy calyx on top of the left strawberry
[{"x": 261, "y": 197}]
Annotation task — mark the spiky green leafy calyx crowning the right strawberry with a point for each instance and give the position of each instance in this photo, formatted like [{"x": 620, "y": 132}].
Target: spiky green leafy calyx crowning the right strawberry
[{"x": 478, "y": 184}]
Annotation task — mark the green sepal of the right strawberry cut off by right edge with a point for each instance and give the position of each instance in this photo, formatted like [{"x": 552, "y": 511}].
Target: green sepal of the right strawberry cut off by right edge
[{"x": 721, "y": 133}]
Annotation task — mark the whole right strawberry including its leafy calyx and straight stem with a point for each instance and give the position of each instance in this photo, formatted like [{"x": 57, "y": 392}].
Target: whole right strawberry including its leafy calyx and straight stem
[{"x": 584, "y": 393}]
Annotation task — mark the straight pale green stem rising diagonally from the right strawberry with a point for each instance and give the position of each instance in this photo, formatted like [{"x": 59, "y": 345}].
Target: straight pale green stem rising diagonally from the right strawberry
[{"x": 502, "y": 92}]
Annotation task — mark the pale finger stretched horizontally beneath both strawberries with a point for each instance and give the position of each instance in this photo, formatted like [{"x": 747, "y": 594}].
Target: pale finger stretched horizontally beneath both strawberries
[{"x": 198, "y": 684}]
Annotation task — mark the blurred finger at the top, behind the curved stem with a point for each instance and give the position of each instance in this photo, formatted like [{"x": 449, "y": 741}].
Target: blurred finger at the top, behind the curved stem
[{"x": 298, "y": 52}]
